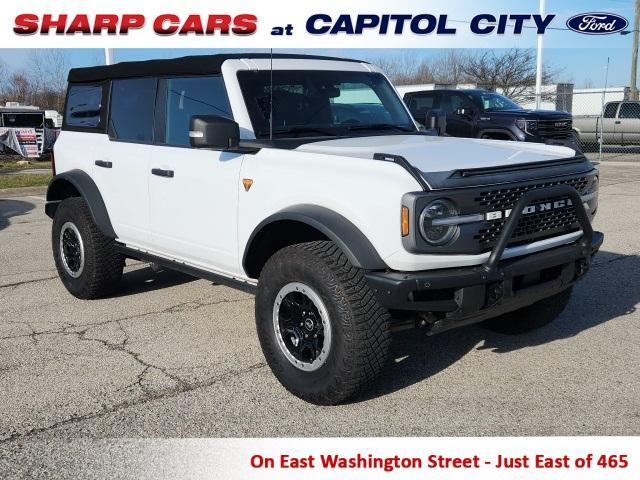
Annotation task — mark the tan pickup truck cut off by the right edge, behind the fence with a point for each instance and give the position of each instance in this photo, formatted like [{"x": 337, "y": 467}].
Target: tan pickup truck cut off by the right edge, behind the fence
[{"x": 620, "y": 125}]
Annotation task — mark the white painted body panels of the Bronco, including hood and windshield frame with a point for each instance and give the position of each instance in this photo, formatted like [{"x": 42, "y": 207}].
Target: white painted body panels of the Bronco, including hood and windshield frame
[{"x": 207, "y": 190}]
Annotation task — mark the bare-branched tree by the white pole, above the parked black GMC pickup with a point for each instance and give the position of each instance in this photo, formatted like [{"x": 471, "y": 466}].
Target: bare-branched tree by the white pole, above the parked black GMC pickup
[{"x": 513, "y": 71}]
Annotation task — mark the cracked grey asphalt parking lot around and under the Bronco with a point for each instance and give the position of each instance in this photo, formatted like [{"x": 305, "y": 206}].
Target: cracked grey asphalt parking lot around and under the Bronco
[{"x": 172, "y": 356}]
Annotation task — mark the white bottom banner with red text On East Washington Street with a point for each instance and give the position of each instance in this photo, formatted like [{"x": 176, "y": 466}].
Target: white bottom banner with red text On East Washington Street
[{"x": 447, "y": 458}]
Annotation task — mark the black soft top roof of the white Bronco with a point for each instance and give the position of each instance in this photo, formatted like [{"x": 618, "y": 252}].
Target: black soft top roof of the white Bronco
[{"x": 192, "y": 65}]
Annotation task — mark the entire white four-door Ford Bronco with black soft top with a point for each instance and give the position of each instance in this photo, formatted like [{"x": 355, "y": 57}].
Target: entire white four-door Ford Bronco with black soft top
[{"x": 305, "y": 181}]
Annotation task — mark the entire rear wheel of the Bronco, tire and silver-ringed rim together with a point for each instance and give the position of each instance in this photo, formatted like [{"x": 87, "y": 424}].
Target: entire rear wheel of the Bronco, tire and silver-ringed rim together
[{"x": 87, "y": 261}]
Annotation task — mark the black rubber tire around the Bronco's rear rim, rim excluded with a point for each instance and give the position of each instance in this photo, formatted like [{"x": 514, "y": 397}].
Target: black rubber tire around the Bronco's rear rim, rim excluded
[{"x": 103, "y": 265}]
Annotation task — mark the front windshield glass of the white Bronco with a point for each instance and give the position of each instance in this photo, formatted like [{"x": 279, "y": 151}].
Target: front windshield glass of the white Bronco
[{"x": 322, "y": 103}]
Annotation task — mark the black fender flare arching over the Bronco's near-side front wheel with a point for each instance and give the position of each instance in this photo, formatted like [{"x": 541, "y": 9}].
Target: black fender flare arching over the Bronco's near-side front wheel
[{"x": 355, "y": 245}]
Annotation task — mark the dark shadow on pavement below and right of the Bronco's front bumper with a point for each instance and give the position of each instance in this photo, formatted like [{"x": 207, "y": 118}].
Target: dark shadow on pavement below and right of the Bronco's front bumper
[{"x": 609, "y": 292}]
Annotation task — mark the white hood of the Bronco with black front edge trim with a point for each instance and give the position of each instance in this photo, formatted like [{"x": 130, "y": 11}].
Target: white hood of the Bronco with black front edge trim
[{"x": 447, "y": 162}]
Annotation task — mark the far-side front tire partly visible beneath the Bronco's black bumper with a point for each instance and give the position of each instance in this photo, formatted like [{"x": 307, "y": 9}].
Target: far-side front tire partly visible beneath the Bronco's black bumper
[{"x": 532, "y": 317}]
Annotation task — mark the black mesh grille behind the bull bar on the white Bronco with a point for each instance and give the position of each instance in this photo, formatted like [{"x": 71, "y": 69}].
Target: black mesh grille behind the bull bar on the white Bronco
[{"x": 531, "y": 227}]
